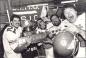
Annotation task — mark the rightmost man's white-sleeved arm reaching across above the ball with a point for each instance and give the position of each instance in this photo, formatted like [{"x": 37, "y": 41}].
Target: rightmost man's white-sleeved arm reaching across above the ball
[{"x": 73, "y": 28}]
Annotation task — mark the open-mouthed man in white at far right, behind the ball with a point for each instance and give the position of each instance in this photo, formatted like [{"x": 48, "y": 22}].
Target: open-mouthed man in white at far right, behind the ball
[{"x": 75, "y": 24}]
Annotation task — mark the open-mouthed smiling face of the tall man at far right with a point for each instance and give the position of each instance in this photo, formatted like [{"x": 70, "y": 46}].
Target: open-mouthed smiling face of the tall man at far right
[{"x": 70, "y": 14}]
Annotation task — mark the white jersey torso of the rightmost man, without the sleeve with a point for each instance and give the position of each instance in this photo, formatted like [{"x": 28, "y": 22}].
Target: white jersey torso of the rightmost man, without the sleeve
[{"x": 80, "y": 22}]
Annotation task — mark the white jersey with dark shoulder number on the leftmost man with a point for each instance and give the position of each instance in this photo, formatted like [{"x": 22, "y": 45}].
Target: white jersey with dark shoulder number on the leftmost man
[{"x": 10, "y": 35}]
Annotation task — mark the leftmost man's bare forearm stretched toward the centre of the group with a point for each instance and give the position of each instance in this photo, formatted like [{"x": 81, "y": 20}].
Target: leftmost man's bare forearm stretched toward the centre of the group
[{"x": 23, "y": 42}]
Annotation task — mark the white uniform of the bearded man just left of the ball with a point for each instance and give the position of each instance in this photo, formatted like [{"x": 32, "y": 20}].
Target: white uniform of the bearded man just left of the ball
[{"x": 49, "y": 48}]
